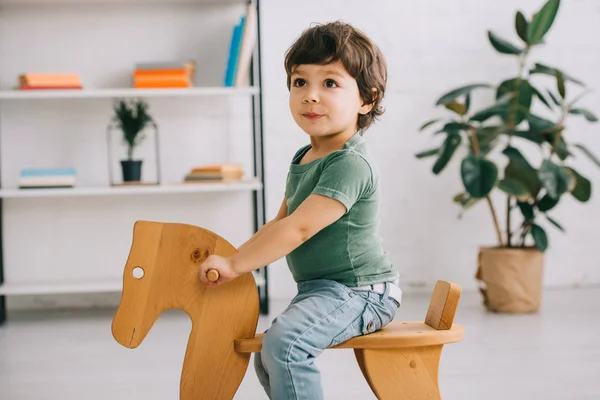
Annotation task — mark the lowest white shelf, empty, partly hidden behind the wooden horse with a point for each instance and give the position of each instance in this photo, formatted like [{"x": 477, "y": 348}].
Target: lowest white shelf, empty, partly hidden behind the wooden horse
[{"x": 96, "y": 286}]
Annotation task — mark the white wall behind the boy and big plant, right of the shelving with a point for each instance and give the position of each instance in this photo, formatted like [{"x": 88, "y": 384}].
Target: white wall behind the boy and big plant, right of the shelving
[{"x": 433, "y": 46}]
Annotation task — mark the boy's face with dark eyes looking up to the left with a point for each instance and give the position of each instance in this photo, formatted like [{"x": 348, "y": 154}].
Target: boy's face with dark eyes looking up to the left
[{"x": 324, "y": 99}]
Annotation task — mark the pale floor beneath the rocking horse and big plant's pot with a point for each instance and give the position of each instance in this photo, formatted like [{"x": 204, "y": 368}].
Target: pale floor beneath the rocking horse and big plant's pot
[{"x": 72, "y": 355}]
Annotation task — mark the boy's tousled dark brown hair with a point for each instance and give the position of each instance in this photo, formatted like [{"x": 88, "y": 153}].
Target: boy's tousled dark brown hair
[{"x": 362, "y": 59}]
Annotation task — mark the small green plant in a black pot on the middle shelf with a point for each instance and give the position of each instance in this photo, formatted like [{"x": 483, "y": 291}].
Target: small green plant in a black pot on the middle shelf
[{"x": 132, "y": 117}]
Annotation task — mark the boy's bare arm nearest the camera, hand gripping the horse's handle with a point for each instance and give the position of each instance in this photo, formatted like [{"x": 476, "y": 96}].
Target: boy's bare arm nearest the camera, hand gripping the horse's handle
[{"x": 277, "y": 239}]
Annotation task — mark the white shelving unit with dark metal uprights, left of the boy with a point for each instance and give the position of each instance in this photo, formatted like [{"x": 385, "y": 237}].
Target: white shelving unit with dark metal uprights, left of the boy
[{"x": 43, "y": 218}]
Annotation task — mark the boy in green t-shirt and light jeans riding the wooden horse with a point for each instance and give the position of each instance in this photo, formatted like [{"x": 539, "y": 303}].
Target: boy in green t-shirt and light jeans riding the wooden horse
[{"x": 327, "y": 226}]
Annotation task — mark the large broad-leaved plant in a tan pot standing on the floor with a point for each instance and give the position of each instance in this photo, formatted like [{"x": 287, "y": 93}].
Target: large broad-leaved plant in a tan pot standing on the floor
[{"x": 524, "y": 115}]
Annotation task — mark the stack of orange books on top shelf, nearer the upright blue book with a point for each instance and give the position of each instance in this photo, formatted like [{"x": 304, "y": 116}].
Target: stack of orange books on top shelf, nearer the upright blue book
[{"x": 164, "y": 74}]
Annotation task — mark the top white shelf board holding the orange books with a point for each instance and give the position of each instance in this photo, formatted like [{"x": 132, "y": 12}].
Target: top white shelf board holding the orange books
[{"x": 126, "y": 92}]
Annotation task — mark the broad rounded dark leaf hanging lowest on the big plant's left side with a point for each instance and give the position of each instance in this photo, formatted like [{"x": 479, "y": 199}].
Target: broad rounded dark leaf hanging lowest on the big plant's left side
[{"x": 478, "y": 175}]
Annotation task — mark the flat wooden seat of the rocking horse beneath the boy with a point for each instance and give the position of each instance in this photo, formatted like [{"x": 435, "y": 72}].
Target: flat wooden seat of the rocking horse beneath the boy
[{"x": 394, "y": 335}]
